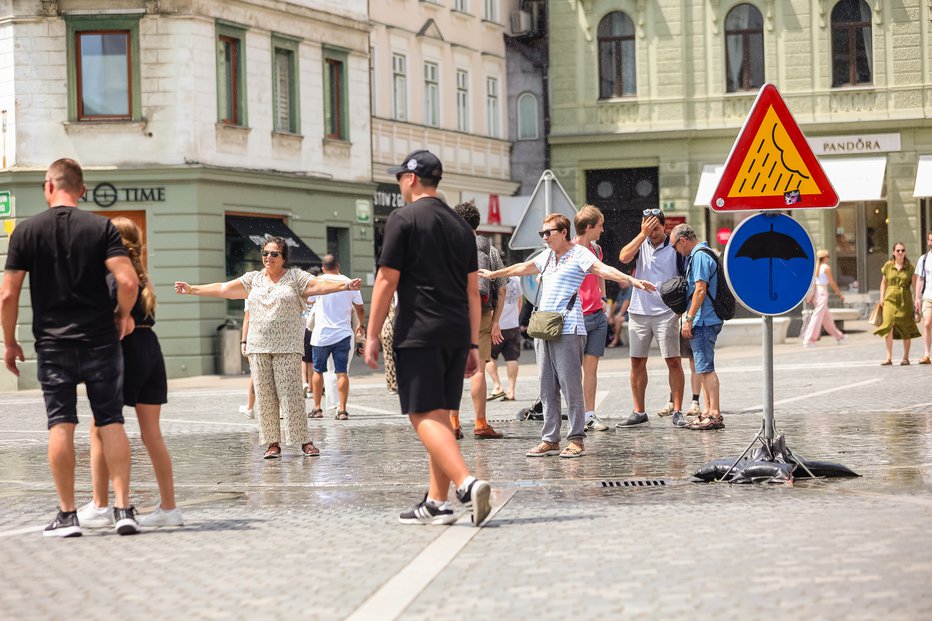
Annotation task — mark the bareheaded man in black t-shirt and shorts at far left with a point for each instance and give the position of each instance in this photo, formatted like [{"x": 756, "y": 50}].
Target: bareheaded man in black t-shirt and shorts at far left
[{"x": 68, "y": 253}]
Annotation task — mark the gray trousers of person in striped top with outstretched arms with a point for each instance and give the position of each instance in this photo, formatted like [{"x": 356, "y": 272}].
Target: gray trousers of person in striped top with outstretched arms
[{"x": 559, "y": 367}]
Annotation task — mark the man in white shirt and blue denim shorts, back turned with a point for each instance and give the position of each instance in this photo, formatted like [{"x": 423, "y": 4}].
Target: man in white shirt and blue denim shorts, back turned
[{"x": 332, "y": 335}]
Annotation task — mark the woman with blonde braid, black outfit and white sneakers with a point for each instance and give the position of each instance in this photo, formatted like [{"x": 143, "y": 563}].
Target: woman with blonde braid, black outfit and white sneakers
[{"x": 145, "y": 387}]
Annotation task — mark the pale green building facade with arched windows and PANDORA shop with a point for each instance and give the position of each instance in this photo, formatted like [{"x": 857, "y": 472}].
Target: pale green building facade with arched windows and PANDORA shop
[{"x": 648, "y": 98}]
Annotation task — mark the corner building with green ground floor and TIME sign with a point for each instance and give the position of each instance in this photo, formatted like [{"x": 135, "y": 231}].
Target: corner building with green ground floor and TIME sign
[{"x": 210, "y": 123}]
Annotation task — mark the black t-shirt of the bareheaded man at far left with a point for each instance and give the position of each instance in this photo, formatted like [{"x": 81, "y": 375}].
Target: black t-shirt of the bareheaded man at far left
[{"x": 64, "y": 250}]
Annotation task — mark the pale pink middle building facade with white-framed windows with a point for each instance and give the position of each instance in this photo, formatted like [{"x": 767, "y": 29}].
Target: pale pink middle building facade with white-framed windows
[{"x": 439, "y": 82}]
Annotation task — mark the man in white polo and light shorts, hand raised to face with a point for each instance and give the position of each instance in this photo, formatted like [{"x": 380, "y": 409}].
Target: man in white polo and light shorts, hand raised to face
[{"x": 649, "y": 318}]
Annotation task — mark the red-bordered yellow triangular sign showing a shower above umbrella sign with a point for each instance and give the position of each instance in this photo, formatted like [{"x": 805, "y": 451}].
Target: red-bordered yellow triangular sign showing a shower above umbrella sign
[{"x": 771, "y": 166}]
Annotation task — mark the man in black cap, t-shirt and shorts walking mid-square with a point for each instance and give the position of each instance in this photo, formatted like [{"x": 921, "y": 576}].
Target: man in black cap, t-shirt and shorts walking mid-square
[{"x": 429, "y": 256}]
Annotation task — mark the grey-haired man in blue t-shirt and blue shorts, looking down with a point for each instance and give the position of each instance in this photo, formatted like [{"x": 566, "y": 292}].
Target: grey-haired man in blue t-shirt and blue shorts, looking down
[{"x": 700, "y": 323}]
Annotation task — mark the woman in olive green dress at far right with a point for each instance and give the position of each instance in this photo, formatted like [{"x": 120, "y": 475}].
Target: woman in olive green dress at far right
[{"x": 897, "y": 299}]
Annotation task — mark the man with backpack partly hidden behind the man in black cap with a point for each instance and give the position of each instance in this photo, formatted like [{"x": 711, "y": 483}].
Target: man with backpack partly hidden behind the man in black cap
[{"x": 492, "y": 297}]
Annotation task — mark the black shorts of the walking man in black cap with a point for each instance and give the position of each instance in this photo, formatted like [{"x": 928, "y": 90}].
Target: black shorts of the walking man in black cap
[{"x": 430, "y": 378}]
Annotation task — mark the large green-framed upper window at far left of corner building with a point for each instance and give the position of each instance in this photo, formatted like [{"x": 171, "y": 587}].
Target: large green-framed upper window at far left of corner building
[{"x": 103, "y": 68}]
